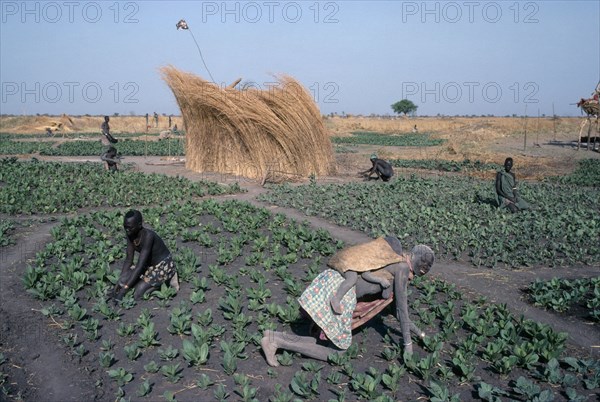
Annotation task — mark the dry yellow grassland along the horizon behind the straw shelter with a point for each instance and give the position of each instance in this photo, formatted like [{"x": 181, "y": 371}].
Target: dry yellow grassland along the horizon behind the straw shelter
[{"x": 541, "y": 146}]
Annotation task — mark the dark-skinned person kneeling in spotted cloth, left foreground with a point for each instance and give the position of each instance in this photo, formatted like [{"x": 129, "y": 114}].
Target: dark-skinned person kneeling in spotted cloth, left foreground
[{"x": 154, "y": 266}]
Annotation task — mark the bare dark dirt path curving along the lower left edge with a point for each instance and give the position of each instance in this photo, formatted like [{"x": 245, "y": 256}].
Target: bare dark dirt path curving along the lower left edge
[{"x": 38, "y": 369}]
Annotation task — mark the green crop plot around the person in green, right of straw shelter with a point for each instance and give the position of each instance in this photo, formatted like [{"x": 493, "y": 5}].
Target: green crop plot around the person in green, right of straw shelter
[{"x": 458, "y": 217}]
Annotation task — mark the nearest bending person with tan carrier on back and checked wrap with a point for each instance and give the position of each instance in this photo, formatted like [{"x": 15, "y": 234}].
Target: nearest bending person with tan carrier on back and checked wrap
[{"x": 319, "y": 299}]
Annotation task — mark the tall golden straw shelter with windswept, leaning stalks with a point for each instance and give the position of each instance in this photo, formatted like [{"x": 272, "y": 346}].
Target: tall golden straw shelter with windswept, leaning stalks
[{"x": 252, "y": 133}]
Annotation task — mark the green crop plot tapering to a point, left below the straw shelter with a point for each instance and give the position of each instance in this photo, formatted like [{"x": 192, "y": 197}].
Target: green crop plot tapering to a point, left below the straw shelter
[{"x": 48, "y": 187}]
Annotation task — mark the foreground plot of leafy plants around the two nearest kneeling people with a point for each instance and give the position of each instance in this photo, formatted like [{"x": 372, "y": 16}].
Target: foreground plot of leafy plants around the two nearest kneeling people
[{"x": 241, "y": 270}]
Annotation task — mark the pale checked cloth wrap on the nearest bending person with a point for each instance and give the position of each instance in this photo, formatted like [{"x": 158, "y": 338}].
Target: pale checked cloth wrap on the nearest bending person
[{"x": 315, "y": 300}]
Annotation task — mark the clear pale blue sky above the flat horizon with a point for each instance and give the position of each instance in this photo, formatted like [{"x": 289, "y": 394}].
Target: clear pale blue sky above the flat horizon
[{"x": 357, "y": 57}]
